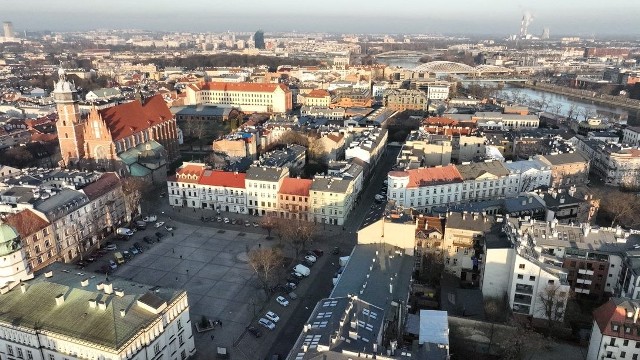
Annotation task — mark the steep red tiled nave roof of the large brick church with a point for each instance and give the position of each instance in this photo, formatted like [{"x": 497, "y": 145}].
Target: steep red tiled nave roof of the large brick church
[{"x": 126, "y": 119}]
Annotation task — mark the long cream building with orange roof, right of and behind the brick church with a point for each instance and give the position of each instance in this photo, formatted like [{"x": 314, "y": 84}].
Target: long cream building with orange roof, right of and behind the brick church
[{"x": 245, "y": 96}]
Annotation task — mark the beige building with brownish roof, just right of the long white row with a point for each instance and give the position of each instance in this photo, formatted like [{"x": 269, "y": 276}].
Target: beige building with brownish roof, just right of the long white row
[{"x": 567, "y": 169}]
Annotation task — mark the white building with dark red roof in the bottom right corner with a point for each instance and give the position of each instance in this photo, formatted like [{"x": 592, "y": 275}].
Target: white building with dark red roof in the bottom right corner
[{"x": 614, "y": 333}]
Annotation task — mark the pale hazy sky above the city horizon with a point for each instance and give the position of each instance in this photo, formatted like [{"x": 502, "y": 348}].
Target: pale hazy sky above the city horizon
[{"x": 481, "y": 17}]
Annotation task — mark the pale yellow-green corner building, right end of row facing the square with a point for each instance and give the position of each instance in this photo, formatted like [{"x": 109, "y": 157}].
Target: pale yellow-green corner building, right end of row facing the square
[{"x": 332, "y": 199}]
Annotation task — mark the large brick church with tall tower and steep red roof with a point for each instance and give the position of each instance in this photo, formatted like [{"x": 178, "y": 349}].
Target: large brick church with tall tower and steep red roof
[{"x": 138, "y": 138}]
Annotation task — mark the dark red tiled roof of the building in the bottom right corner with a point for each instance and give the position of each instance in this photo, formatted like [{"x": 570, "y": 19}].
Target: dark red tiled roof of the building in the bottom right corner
[{"x": 614, "y": 311}]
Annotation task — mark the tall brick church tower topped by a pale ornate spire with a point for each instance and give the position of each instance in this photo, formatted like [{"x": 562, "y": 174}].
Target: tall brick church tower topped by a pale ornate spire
[{"x": 69, "y": 124}]
